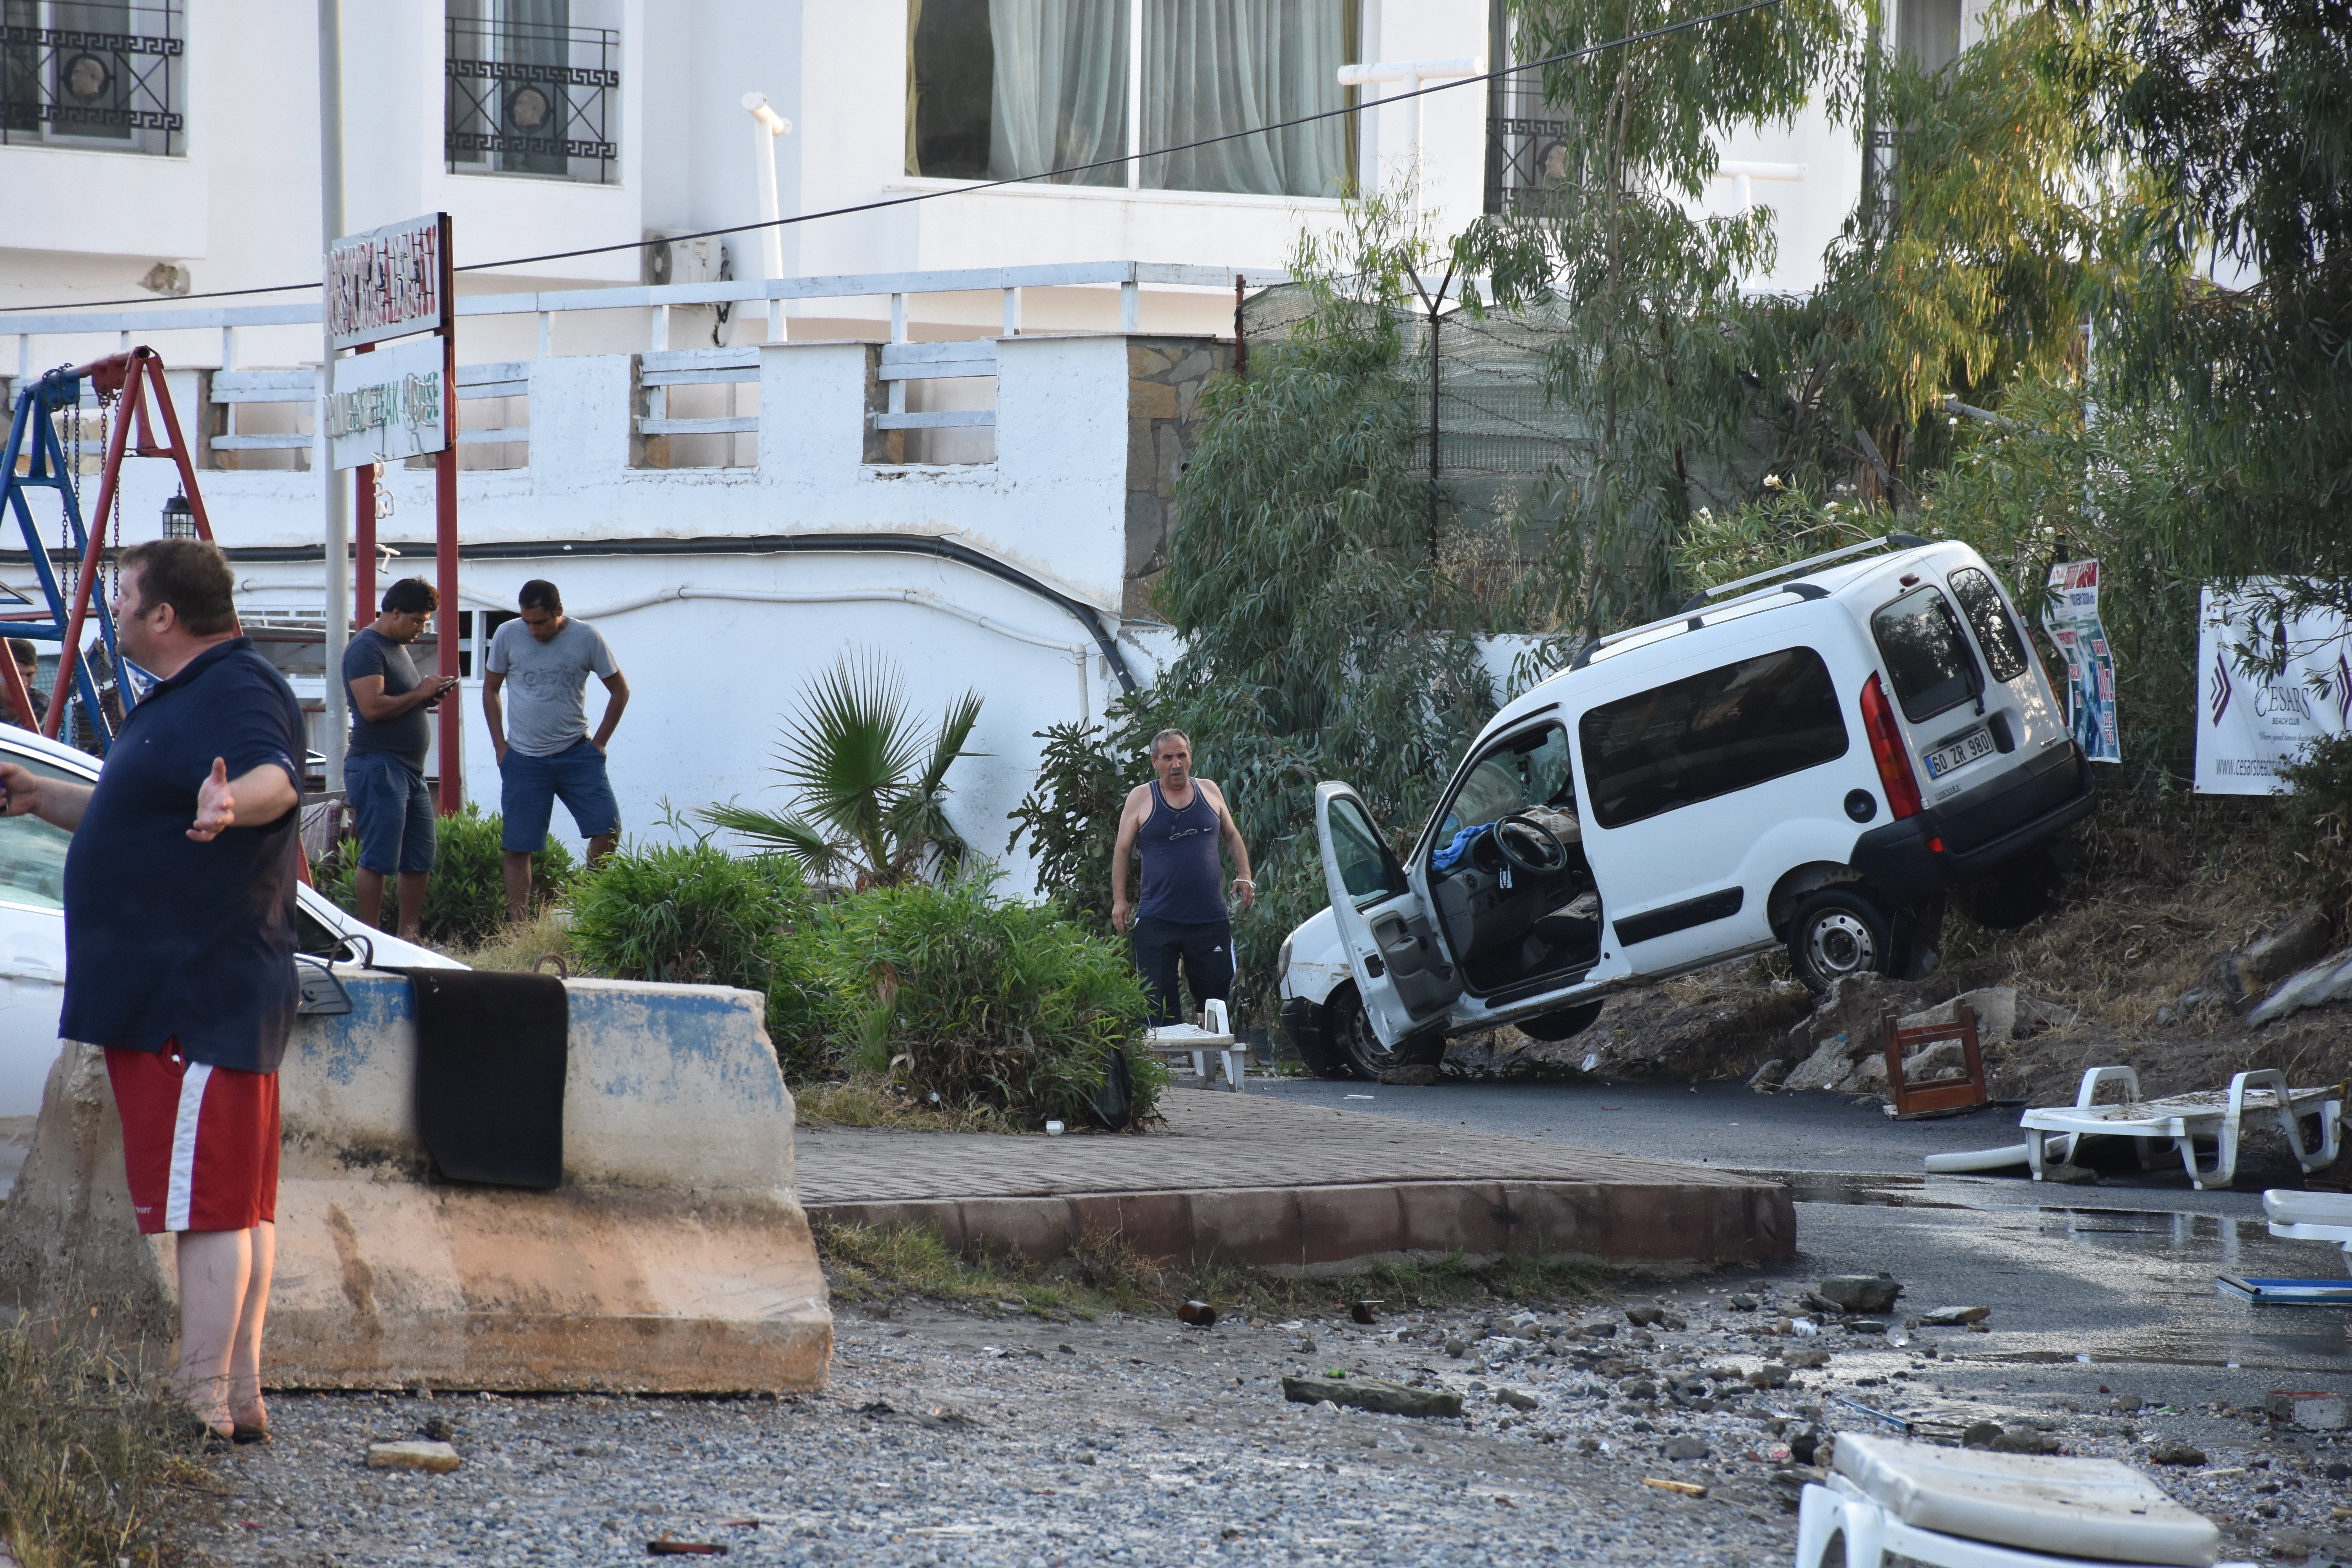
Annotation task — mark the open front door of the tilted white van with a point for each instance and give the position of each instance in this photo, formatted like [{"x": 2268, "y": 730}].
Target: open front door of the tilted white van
[{"x": 1398, "y": 965}]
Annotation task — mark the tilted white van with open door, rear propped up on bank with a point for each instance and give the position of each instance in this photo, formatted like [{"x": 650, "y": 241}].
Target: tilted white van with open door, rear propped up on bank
[{"x": 1808, "y": 758}]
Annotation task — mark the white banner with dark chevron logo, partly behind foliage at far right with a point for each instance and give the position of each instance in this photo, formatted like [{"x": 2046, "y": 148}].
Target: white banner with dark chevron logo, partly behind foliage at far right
[{"x": 2252, "y": 721}]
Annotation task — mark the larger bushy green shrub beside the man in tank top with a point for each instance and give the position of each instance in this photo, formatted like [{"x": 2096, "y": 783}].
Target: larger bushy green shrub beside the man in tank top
[{"x": 963, "y": 998}]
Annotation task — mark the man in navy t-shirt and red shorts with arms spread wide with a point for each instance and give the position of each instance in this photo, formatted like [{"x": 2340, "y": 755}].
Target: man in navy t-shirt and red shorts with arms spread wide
[{"x": 180, "y": 949}]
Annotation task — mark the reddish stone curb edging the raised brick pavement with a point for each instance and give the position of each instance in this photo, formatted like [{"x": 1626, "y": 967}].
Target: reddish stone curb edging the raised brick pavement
[{"x": 1344, "y": 1228}]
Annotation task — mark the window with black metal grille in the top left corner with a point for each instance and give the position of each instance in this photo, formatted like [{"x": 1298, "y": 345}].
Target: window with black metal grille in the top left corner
[{"x": 93, "y": 74}]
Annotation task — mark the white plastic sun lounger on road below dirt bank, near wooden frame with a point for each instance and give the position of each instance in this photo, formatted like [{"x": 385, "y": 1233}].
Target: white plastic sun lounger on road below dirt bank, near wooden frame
[{"x": 2214, "y": 1113}]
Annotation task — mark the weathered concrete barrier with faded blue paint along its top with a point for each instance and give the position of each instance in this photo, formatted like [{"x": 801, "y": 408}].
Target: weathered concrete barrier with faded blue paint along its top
[{"x": 674, "y": 1259}]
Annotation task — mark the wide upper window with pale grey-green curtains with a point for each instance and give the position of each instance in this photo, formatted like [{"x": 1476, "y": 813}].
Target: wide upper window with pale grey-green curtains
[{"x": 1008, "y": 88}]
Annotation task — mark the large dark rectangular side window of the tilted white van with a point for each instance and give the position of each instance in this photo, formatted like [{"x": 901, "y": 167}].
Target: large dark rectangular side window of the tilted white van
[{"x": 1711, "y": 735}]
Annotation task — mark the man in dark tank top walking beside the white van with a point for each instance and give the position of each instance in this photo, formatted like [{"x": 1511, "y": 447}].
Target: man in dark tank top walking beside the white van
[{"x": 1180, "y": 824}]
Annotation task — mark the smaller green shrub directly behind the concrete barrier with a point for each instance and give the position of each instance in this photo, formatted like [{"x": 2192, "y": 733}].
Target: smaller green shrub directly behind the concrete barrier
[{"x": 686, "y": 913}]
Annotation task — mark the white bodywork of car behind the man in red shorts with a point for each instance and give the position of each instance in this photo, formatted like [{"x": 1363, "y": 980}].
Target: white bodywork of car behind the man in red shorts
[{"x": 34, "y": 932}]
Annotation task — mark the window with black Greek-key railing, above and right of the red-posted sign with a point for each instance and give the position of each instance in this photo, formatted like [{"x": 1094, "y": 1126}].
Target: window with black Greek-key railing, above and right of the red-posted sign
[{"x": 533, "y": 100}]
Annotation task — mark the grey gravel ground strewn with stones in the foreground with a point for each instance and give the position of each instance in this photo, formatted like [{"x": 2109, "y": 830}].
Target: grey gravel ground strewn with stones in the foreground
[{"x": 998, "y": 1438}]
